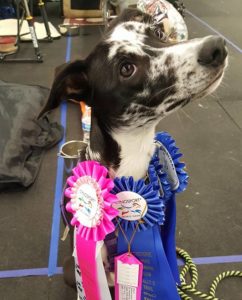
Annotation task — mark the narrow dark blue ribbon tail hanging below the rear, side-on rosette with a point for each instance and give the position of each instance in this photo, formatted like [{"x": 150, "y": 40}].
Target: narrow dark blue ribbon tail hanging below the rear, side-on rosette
[{"x": 168, "y": 235}]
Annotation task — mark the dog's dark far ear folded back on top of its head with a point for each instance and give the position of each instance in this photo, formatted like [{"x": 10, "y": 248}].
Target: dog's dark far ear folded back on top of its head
[{"x": 130, "y": 14}]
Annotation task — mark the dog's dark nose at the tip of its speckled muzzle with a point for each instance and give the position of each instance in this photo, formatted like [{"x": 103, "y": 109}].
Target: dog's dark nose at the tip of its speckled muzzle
[{"x": 213, "y": 52}]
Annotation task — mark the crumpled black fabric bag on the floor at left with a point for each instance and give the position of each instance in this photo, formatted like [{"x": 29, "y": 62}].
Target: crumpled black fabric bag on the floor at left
[{"x": 23, "y": 137}]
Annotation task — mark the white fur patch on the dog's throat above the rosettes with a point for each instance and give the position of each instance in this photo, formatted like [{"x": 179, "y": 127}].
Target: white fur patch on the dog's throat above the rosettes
[{"x": 137, "y": 147}]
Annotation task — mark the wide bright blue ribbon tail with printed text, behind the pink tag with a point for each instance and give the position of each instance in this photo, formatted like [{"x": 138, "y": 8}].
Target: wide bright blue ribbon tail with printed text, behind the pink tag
[{"x": 158, "y": 281}]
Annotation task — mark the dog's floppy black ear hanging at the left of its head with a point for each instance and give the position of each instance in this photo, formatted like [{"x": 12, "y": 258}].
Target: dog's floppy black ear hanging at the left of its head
[{"x": 70, "y": 82}]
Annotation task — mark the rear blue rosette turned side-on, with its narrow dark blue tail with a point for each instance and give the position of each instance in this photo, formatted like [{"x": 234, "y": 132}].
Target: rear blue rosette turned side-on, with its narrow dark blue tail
[{"x": 171, "y": 174}]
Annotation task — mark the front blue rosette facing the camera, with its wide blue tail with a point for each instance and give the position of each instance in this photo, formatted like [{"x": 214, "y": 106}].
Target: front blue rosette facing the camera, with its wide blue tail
[{"x": 158, "y": 281}]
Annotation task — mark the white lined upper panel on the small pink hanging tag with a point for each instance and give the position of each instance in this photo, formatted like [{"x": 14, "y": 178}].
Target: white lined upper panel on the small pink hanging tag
[{"x": 127, "y": 274}]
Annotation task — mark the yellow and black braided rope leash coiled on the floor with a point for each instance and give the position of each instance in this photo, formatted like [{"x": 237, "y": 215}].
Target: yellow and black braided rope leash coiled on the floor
[{"x": 186, "y": 291}]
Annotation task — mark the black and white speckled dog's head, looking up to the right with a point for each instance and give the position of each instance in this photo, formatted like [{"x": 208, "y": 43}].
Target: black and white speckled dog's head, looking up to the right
[{"x": 133, "y": 79}]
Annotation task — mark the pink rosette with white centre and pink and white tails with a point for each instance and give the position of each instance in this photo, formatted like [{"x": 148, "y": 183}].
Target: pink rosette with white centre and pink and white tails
[{"x": 91, "y": 206}]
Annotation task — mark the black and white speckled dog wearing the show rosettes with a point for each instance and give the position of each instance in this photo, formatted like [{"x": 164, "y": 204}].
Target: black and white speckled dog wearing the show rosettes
[{"x": 132, "y": 80}]
